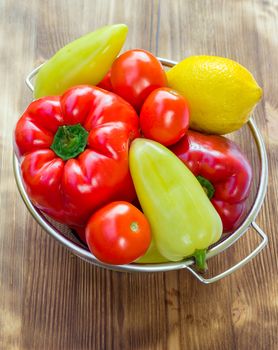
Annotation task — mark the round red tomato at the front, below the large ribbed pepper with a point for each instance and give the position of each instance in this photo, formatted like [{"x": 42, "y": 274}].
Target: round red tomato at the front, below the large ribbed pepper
[{"x": 118, "y": 233}]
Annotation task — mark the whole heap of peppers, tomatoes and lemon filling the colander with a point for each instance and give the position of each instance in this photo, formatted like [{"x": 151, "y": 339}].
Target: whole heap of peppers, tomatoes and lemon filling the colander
[{"x": 131, "y": 156}]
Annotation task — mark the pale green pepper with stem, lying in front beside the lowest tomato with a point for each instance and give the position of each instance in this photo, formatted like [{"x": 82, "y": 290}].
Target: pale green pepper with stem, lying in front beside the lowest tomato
[{"x": 184, "y": 223}]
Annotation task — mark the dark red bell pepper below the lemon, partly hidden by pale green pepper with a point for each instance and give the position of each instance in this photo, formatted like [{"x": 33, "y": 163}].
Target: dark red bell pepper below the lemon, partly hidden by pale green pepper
[{"x": 222, "y": 170}]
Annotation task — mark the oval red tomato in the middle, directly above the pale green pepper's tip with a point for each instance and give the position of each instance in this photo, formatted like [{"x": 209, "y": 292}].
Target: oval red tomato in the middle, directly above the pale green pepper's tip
[{"x": 164, "y": 116}]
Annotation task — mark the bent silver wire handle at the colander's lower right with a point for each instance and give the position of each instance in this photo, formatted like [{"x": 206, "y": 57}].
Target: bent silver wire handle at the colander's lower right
[{"x": 239, "y": 264}]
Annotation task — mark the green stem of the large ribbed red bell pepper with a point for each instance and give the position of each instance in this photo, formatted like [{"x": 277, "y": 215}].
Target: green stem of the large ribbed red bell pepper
[{"x": 69, "y": 141}]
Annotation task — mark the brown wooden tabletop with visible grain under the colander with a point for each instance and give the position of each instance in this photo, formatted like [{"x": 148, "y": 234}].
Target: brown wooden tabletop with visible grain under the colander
[{"x": 49, "y": 299}]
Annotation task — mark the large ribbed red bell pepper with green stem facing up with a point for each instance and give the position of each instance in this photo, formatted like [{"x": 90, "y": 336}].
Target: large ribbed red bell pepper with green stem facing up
[{"x": 74, "y": 152}]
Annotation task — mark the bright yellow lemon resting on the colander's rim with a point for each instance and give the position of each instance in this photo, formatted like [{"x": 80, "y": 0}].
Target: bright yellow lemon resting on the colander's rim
[{"x": 221, "y": 93}]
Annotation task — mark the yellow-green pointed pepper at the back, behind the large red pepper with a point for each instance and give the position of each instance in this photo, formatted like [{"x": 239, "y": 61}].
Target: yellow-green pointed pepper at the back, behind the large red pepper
[{"x": 83, "y": 61}]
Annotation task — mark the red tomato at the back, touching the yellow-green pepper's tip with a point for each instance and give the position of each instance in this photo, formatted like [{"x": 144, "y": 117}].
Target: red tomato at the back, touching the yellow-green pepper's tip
[{"x": 135, "y": 74}]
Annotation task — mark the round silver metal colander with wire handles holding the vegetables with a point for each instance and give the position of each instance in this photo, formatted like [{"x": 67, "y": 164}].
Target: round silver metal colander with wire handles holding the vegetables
[{"x": 67, "y": 238}]
